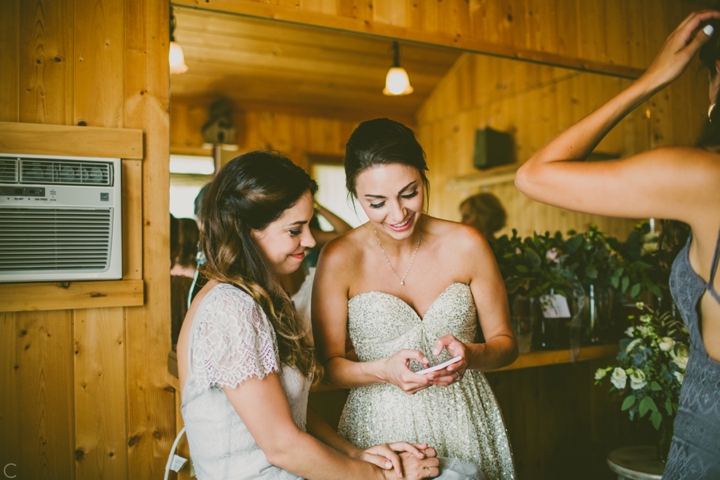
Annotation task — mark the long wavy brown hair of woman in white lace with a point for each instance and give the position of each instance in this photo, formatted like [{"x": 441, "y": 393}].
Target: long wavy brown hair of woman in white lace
[{"x": 249, "y": 193}]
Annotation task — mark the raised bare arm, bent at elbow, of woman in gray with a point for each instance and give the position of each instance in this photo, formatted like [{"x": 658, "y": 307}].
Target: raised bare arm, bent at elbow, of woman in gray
[{"x": 664, "y": 182}]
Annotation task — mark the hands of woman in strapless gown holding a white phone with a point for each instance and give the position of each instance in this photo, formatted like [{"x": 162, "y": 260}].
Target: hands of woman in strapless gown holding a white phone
[{"x": 397, "y": 366}]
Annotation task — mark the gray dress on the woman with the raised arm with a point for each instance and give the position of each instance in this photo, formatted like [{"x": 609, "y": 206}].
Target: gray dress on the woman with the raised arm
[{"x": 695, "y": 450}]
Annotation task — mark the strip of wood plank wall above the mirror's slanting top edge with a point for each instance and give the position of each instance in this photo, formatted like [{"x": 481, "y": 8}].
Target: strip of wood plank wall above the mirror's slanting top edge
[{"x": 621, "y": 36}]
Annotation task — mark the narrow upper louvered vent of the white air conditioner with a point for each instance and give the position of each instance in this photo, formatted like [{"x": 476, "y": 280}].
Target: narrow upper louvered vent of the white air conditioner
[{"x": 65, "y": 172}]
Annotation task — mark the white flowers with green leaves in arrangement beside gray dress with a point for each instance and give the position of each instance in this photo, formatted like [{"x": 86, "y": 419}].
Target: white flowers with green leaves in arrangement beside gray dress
[{"x": 650, "y": 370}]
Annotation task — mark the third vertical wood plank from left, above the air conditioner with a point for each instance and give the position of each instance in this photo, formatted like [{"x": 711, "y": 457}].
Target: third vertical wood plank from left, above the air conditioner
[{"x": 99, "y": 56}]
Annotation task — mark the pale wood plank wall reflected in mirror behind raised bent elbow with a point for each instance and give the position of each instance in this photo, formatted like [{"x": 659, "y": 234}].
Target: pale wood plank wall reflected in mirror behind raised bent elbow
[{"x": 534, "y": 103}]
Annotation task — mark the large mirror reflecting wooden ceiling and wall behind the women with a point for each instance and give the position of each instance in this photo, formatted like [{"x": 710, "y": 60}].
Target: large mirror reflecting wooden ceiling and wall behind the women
[{"x": 302, "y": 90}]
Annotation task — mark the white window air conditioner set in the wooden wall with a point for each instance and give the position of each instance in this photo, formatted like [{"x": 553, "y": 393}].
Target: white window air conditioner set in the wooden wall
[{"x": 60, "y": 218}]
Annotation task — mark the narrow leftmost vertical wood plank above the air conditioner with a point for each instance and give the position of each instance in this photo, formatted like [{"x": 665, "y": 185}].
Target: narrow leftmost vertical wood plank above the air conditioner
[{"x": 10, "y": 61}]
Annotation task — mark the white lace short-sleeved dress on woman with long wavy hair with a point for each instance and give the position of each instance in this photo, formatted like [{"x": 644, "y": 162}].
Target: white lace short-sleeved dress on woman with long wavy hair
[{"x": 231, "y": 340}]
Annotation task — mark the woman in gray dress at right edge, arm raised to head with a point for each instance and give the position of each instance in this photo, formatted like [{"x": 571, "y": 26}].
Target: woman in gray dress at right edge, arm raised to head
[{"x": 677, "y": 183}]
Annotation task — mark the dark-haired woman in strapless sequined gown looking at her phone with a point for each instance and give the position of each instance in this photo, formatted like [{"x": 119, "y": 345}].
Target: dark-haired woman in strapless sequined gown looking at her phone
[{"x": 410, "y": 290}]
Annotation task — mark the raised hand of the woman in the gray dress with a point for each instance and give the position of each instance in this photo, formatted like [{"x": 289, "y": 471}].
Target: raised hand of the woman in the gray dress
[{"x": 679, "y": 49}]
